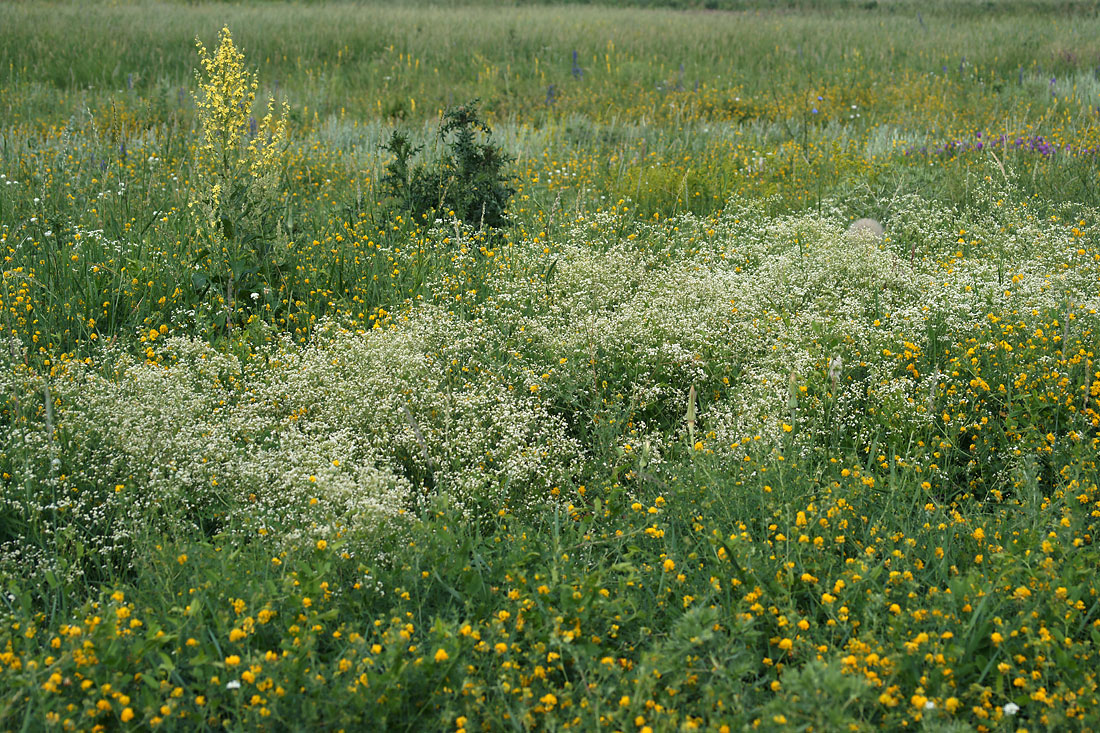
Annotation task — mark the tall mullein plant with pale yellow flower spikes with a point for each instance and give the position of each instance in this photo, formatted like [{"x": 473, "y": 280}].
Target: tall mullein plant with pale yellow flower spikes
[{"x": 239, "y": 177}]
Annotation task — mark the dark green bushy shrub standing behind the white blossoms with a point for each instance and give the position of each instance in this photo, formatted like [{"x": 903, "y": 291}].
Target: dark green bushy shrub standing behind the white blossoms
[{"x": 469, "y": 180}]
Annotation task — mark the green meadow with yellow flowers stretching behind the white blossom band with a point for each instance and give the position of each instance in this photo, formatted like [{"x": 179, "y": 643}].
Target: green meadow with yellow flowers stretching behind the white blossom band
[{"x": 852, "y": 107}]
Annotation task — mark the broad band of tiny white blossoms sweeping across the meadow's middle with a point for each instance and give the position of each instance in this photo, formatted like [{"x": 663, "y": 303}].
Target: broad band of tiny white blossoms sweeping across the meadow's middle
[{"x": 541, "y": 373}]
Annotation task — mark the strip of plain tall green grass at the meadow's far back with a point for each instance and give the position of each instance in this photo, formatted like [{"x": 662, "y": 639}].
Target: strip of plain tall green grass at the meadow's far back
[{"x": 357, "y": 58}]
